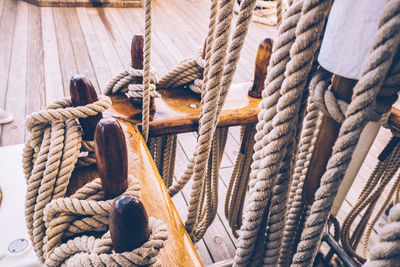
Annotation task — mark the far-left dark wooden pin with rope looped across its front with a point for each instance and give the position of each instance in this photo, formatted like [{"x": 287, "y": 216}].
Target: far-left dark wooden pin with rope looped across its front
[{"x": 83, "y": 93}]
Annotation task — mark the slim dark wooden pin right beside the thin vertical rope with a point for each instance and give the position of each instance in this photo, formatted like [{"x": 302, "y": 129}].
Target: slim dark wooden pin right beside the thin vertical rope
[{"x": 137, "y": 63}]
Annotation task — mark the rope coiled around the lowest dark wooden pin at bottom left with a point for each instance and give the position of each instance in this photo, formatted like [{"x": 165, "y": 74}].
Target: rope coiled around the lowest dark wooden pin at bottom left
[{"x": 86, "y": 211}]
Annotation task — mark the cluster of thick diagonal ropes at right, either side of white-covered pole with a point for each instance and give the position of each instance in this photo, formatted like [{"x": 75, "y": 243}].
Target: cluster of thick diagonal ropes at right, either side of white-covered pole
[{"x": 281, "y": 111}]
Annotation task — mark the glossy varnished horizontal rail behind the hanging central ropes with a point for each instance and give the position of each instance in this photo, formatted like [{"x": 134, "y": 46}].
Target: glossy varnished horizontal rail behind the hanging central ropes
[{"x": 173, "y": 113}]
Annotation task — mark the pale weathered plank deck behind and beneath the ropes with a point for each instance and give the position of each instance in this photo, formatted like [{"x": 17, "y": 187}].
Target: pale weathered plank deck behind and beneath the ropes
[{"x": 41, "y": 48}]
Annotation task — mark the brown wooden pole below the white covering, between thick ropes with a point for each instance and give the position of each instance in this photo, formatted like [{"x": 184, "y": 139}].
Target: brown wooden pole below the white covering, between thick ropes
[{"x": 328, "y": 133}]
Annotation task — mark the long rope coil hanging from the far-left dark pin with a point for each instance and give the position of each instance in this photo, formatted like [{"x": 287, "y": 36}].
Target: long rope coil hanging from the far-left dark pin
[{"x": 49, "y": 158}]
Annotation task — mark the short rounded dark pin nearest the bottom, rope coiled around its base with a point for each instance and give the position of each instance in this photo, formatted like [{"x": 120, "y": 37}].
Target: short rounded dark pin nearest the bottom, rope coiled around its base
[{"x": 129, "y": 224}]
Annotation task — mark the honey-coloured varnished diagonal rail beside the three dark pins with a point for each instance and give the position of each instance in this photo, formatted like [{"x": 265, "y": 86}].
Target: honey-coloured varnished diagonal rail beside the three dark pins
[{"x": 179, "y": 249}]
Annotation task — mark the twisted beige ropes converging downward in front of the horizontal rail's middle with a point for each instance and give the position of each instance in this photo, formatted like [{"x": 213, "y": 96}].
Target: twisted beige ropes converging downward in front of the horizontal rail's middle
[{"x": 210, "y": 95}]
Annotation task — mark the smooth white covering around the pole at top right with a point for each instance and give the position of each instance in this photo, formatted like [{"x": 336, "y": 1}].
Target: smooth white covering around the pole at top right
[{"x": 350, "y": 29}]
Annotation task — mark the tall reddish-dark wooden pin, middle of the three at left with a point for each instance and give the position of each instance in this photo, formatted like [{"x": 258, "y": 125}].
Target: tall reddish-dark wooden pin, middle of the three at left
[{"x": 111, "y": 157}]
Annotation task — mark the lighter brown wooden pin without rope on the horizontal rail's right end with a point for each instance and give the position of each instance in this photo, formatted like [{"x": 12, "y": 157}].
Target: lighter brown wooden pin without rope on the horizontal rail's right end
[{"x": 260, "y": 71}]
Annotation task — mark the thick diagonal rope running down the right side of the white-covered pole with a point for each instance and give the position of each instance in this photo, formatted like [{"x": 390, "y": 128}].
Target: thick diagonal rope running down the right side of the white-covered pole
[{"x": 375, "y": 69}]
